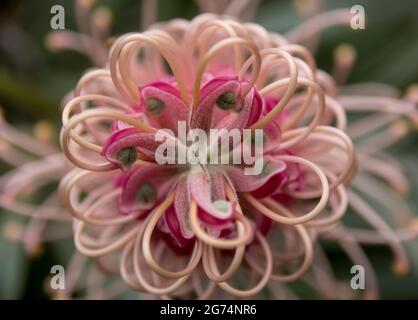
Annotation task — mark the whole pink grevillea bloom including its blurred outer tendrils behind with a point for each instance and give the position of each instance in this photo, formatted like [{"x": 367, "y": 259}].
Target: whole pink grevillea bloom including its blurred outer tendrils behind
[{"x": 146, "y": 219}]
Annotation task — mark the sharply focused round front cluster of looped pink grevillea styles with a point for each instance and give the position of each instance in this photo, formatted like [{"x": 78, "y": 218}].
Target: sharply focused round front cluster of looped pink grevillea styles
[{"x": 208, "y": 73}]
